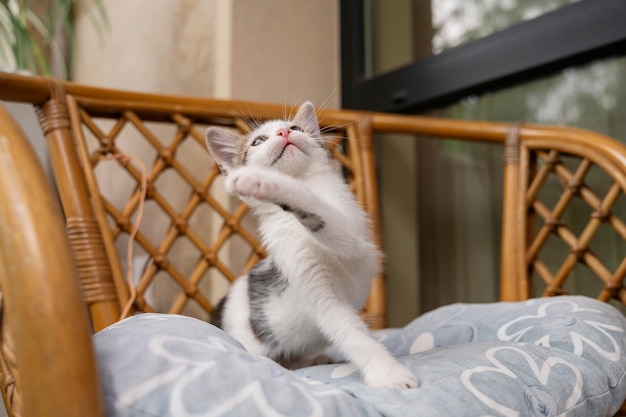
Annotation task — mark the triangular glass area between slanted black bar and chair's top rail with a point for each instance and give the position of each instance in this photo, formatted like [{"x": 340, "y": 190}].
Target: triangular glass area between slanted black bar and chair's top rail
[{"x": 591, "y": 97}]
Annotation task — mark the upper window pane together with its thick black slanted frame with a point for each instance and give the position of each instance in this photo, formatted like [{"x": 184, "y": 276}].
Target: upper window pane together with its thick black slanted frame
[{"x": 570, "y": 33}]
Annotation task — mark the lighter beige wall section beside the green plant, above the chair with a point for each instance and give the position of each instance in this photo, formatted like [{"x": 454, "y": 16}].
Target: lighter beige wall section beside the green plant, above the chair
[{"x": 166, "y": 47}]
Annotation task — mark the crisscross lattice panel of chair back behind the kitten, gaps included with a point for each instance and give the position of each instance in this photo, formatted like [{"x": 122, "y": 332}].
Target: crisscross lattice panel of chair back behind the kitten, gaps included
[{"x": 194, "y": 239}]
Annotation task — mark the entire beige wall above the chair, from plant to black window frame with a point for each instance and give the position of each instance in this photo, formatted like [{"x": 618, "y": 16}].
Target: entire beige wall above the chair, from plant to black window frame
[{"x": 280, "y": 51}]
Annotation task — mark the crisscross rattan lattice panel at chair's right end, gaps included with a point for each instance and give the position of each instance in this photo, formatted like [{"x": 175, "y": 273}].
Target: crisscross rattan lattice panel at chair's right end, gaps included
[{"x": 579, "y": 216}]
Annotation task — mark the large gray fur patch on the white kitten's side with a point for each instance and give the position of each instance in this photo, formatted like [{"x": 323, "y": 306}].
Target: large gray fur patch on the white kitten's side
[{"x": 264, "y": 280}]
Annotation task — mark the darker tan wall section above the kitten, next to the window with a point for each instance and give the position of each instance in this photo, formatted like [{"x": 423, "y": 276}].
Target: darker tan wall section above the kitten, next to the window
[{"x": 286, "y": 51}]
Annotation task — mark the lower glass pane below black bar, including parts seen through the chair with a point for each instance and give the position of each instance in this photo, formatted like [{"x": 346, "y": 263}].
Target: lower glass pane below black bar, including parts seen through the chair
[{"x": 591, "y": 97}]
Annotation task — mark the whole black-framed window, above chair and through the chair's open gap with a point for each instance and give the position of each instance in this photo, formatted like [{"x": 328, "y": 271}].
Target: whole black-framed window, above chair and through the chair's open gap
[{"x": 546, "y": 61}]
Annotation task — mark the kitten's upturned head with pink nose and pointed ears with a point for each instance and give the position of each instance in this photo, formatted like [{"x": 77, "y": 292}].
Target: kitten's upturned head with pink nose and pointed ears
[{"x": 291, "y": 147}]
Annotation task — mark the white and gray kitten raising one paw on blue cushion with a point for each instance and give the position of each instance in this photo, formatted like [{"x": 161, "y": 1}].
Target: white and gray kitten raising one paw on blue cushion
[{"x": 307, "y": 293}]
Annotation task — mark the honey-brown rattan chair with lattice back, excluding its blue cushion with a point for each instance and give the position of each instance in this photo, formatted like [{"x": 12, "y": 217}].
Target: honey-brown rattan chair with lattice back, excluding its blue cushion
[{"x": 54, "y": 263}]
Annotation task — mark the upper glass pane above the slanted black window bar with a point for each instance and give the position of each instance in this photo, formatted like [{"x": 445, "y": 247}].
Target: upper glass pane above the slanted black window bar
[{"x": 401, "y": 31}]
